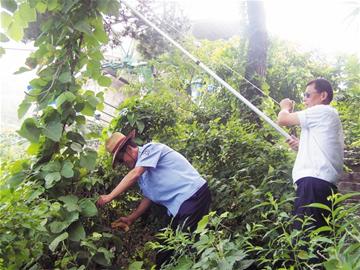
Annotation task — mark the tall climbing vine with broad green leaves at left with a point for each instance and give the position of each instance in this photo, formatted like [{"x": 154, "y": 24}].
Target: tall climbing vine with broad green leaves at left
[{"x": 68, "y": 53}]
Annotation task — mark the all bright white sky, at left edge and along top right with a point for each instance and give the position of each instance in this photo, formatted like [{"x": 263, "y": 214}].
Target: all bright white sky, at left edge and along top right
[{"x": 312, "y": 24}]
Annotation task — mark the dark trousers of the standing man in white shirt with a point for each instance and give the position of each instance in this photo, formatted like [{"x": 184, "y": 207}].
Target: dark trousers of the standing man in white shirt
[{"x": 312, "y": 190}]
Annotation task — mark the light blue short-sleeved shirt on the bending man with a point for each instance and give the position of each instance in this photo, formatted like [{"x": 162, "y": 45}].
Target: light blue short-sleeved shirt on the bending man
[{"x": 169, "y": 179}]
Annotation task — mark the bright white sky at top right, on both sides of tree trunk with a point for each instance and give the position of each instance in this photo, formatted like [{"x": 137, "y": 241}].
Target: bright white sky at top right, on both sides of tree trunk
[{"x": 312, "y": 24}]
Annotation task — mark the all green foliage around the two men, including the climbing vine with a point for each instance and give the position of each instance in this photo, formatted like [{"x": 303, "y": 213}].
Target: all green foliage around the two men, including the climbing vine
[{"x": 48, "y": 216}]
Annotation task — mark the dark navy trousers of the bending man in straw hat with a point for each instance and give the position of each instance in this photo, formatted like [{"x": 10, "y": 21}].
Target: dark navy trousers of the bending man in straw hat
[{"x": 190, "y": 213}]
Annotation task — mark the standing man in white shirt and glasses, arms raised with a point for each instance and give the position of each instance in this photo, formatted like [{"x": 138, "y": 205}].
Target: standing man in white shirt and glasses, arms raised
[{"x": 319, "y": 161}]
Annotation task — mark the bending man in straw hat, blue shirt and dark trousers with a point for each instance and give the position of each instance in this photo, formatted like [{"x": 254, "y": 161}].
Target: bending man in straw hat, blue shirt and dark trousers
[{"x": 165, "y": 177}]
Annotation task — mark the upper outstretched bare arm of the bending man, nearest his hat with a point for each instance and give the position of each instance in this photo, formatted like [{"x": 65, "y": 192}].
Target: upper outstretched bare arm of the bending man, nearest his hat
[{"x": 124, "y": 185}]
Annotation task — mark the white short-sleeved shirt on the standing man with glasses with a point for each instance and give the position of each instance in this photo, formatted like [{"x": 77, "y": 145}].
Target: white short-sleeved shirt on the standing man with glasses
[{"x": 321, "y": 146}]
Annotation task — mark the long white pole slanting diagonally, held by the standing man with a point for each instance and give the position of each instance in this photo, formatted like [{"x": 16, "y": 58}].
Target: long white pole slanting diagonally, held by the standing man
[{"x": 210, "y": 72}]
